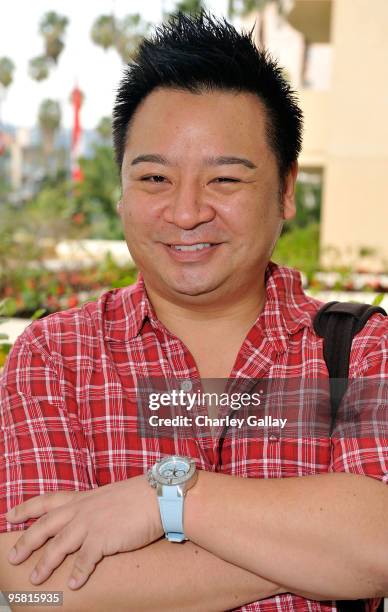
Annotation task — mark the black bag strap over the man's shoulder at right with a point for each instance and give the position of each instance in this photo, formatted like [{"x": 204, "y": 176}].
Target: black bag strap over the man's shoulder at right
[{"x": 337, "y": 323}]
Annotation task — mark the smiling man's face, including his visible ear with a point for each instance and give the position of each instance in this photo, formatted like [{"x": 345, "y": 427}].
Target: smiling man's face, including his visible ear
[{"x": 201, "y": 204}]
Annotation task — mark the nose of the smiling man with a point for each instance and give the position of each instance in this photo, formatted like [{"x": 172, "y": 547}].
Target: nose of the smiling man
[{"x": 189, "y": 206}]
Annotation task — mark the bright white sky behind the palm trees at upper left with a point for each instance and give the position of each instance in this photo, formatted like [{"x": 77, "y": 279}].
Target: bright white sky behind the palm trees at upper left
[{"x": 97, "y": 72}]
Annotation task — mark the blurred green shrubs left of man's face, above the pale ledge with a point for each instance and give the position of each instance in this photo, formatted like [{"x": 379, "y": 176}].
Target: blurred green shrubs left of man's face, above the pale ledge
[{"x": 62, "y": 210}]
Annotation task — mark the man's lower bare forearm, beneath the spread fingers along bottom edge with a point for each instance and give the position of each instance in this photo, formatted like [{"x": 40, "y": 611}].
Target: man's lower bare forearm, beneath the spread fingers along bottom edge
[{"x": 161, "y": 576}]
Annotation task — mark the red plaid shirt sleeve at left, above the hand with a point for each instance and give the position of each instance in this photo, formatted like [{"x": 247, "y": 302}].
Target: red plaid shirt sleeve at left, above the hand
[{"x": 42, "y": 446}]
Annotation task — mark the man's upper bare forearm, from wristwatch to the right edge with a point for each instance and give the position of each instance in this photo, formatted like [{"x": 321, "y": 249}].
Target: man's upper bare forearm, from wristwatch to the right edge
[{"x": 324, "y": 534}]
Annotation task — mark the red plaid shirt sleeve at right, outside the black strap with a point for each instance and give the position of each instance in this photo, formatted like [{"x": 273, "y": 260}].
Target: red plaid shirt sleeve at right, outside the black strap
[{"x": 360, "y": 439}]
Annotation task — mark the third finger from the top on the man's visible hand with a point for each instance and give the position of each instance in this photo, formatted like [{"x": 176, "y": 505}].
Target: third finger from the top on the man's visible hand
[{"x": 68, "y": 540}]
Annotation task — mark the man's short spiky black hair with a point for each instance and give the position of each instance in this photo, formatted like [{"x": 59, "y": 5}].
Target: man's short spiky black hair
[{"x": 202, "y": 53}]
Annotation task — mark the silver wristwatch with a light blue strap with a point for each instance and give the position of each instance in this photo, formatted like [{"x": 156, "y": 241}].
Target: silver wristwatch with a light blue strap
[{"x": 172, "y": 477}]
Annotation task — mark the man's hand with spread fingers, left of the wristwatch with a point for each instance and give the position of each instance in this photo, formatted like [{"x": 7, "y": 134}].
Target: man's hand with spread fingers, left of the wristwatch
[{"x": 118, "y": 517}]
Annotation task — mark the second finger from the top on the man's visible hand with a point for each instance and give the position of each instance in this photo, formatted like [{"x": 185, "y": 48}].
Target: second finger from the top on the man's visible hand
[{"x": 37, "y": 534}]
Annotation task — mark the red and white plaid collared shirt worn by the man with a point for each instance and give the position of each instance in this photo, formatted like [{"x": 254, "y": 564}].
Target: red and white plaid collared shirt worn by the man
[{"x": 69, "y": 416}]
